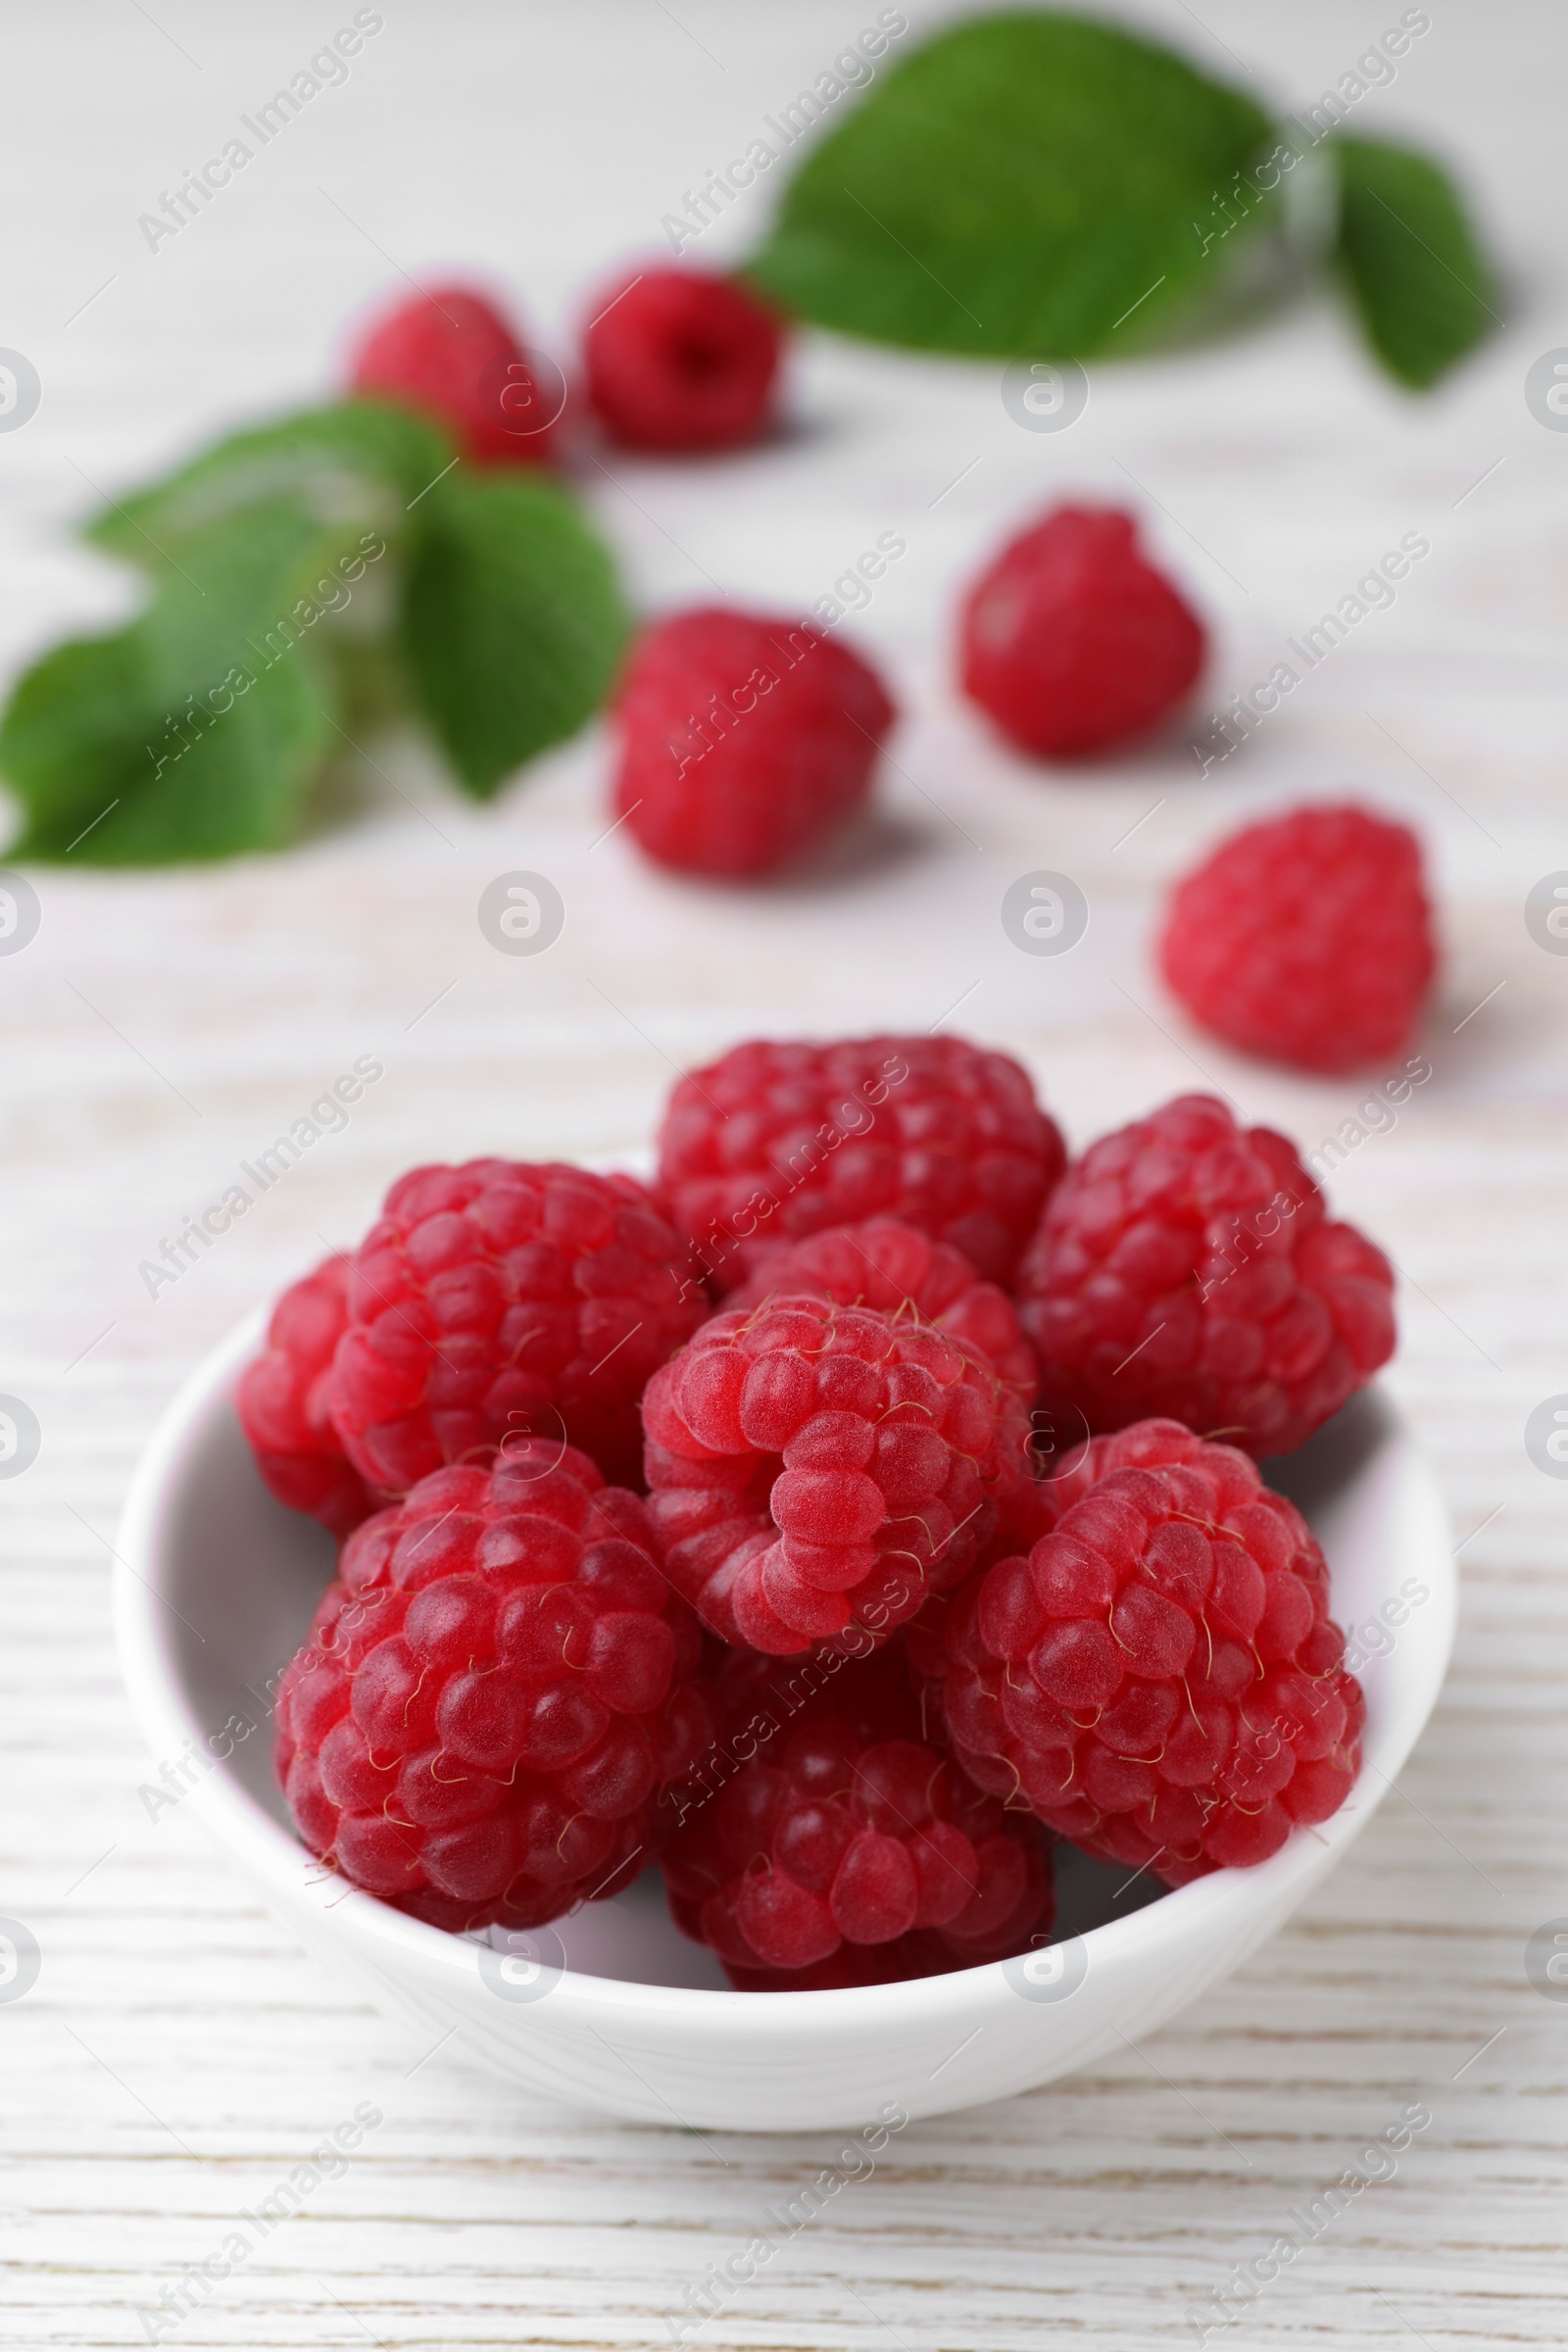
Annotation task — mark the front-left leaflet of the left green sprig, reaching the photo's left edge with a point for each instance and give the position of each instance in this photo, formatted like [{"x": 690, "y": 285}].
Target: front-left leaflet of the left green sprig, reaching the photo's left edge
[{"x": 199, "y": 730}]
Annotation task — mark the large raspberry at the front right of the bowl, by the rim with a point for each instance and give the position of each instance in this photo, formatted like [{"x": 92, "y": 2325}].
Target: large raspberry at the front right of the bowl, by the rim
[{"x": 1160, "y": 1678}]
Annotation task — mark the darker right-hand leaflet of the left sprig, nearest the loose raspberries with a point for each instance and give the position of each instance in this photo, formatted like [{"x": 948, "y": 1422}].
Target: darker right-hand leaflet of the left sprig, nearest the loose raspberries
[{"x": 511, "y": 624}]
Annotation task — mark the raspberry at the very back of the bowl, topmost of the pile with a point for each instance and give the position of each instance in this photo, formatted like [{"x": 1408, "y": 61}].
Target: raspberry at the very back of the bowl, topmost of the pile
[{"x": 930, "y": 1130}]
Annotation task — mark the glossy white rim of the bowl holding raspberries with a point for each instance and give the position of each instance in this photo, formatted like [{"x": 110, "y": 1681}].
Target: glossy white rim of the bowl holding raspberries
[{"x": 1209, "y": 1911}]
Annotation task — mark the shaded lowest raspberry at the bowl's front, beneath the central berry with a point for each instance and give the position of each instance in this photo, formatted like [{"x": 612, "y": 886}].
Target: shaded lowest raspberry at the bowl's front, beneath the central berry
[{"x": 847, "y": 1850}]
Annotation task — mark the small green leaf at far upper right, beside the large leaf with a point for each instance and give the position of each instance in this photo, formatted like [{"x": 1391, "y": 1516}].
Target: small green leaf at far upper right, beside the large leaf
[{"x": 1412, "y": 260}]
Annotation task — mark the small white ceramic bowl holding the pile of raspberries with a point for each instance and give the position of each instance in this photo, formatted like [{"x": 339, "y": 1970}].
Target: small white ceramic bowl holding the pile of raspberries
[{"x": 217, "y": 1586}]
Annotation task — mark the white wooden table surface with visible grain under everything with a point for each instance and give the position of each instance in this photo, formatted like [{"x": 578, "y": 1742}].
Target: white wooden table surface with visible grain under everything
[{"x": 177, "y": 2054}]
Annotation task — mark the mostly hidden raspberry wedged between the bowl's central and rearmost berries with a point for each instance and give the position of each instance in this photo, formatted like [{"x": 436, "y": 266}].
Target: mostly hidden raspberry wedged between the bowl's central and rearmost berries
[{"x": 897, "y": 1269}]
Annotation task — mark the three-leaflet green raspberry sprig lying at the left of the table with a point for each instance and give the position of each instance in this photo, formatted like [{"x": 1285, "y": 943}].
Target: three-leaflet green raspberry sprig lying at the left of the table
[{"x": 201, "y": 728}]
